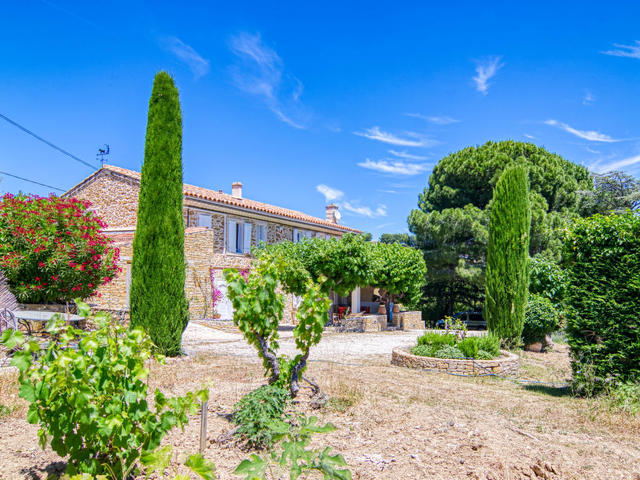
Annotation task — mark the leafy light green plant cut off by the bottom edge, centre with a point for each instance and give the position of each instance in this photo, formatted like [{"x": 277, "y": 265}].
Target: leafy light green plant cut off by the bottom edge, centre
[{"x": 295, "y": 457}]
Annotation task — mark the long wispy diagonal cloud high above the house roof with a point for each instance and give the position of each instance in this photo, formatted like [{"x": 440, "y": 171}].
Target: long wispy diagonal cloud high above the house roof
[{"x": 259, "y": 71}]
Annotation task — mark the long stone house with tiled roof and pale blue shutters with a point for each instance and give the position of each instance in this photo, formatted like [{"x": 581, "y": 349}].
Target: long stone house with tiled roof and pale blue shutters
[{"x": 221, "y": 229}]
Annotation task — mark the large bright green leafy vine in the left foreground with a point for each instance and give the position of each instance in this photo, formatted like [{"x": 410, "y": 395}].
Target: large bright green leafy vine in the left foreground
[{"x": 88, "y": 392}]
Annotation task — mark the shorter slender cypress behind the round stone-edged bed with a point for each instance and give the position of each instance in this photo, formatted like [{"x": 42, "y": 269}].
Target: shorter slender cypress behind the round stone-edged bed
[{"x": 507, "y": 275}]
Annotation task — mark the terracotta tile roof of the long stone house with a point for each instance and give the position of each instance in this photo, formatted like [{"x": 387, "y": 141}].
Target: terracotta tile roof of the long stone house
[{"x": 226, "y": 199}]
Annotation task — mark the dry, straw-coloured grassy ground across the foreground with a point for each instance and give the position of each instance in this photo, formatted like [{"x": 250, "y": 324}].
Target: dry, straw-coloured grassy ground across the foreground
[{"x": 396, "y": 423}]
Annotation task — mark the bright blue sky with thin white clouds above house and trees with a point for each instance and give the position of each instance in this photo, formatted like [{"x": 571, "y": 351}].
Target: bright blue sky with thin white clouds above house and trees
[{"x": 308, "y": 103}]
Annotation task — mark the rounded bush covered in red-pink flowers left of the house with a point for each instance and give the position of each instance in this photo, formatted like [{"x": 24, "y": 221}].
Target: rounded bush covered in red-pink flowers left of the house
[{"x": 52, "y": 248}]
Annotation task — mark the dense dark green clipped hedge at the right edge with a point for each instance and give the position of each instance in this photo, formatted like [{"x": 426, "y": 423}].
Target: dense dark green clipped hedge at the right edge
[{"x": 602, "y": 258}]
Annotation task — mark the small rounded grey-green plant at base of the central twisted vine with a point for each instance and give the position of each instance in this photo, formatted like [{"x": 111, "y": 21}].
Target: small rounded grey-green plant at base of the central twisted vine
[{"x": 261, "y": 415}]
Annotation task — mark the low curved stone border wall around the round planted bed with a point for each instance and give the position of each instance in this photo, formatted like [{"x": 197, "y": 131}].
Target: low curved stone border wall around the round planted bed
[{"x": 506, "y": 364}]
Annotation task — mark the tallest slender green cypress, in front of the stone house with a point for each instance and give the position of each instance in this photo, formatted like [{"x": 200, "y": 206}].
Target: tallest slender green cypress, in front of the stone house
[{"x": 157, "y": 298}]
